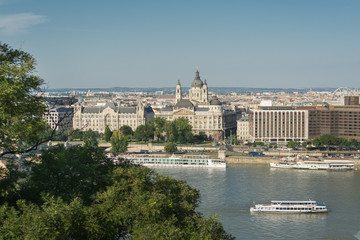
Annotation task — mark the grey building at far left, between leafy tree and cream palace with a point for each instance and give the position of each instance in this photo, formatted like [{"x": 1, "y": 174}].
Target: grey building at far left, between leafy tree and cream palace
[{"x": 60, "y": 118}]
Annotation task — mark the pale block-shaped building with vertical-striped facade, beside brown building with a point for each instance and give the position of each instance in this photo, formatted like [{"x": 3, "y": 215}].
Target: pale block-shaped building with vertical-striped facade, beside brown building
[{"x": 278, "y": 125}]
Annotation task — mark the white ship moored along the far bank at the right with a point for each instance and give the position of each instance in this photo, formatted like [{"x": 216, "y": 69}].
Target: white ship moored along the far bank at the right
[{"x": 326, "y": 164}]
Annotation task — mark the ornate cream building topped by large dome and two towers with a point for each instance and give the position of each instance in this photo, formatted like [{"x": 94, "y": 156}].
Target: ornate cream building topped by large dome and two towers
[{"x": 210, "y": 117}]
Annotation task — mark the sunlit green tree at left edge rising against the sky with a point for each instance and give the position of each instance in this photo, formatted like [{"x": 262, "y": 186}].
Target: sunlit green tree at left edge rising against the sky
[{"x": 21, "y": 111}]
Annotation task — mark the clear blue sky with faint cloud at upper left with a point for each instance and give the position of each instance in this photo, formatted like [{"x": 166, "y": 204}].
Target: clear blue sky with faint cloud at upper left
[{"x": 142, "y": 43}]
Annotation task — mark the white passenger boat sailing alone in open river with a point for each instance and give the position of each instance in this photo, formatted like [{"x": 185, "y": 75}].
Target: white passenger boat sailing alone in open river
[{"x": 289, "y": 207}]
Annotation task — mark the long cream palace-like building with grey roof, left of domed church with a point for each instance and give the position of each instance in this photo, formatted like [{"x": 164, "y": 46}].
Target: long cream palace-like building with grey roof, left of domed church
[{"x": 110, "y": 114}]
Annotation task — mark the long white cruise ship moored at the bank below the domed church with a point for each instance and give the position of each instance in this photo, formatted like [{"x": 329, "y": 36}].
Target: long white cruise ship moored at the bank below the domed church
[{"x": 162, "y": 160}]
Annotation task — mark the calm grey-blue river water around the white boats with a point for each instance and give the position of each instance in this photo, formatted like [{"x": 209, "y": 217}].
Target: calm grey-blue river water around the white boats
[{"x": 231, "y": 192}]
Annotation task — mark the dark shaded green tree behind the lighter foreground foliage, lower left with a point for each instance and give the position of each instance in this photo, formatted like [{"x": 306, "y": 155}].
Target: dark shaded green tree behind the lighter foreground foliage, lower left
[{"x": 77, "y": 172}]
